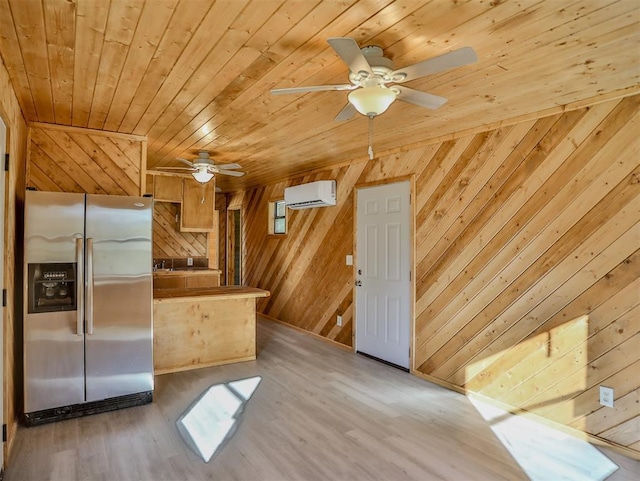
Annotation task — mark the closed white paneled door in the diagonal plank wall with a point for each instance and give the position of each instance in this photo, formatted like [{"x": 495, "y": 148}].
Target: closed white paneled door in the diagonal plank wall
[{"x": 383, "y": 277}]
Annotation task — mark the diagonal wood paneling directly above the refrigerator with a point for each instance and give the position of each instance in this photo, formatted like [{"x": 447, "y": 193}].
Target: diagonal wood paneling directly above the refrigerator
[{"x": 81, "y": 160}]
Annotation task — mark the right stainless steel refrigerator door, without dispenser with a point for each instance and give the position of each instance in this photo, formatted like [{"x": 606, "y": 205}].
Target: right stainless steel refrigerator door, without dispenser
[{"x": 119, "y": 296}]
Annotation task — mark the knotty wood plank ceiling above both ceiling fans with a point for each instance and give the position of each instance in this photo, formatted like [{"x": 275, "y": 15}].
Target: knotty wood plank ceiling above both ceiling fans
[{"x": 196, "y": 74}]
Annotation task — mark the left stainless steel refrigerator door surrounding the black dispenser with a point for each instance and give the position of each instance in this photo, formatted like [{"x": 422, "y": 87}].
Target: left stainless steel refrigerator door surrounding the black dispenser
[{"x": 53, "y": 341}]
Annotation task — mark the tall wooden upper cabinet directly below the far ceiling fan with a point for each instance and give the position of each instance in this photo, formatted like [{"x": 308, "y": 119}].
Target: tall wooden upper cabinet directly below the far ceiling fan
[{"x": 197, "y": 213}]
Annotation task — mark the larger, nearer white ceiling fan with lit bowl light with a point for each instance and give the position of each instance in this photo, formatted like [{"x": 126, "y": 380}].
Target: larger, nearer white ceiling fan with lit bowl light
[{"x": 374, "y": 80}]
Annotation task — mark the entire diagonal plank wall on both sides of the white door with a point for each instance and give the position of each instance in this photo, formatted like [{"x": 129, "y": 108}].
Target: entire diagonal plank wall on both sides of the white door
[{"x": 527, "y": 263}]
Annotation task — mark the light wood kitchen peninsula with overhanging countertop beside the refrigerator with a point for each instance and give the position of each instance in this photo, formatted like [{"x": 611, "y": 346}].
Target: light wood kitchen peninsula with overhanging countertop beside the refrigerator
[{"x": 202, "y": 327}]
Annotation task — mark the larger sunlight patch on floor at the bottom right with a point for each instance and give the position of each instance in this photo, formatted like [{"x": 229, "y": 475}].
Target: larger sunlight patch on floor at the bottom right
[{"x": 545, "y": 453}]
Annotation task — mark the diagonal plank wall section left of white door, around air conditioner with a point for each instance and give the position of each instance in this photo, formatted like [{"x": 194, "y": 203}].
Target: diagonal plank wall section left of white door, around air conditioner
[{"x": 305, "y": 269}]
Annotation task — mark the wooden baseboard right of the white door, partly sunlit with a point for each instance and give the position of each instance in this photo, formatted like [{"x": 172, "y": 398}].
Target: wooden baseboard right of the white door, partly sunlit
[{"x": 630, "y": 453}]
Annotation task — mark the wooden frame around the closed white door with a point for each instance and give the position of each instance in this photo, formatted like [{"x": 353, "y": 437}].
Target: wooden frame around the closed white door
[{"x": 412, "y": 287}]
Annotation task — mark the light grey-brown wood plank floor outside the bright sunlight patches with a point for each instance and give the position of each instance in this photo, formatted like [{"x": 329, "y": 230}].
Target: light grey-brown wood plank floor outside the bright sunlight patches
[{"x": 320, "y": 413}]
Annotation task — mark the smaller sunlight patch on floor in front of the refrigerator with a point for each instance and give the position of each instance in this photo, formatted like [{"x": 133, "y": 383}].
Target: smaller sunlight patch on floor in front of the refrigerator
[{"x": 208, "y": 424}]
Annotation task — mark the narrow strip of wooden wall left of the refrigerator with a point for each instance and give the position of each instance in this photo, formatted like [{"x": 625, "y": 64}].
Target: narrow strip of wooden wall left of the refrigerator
[{"x": 12, "y": 281}]
